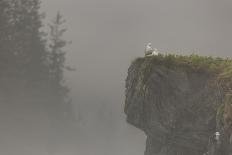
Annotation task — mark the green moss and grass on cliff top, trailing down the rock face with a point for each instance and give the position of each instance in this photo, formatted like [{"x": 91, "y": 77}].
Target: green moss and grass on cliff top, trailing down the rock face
[{"x": 219, "y": 69}]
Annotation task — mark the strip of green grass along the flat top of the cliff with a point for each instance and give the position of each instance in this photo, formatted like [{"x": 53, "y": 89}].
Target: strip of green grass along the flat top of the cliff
[{"x": 221, "y": 68}]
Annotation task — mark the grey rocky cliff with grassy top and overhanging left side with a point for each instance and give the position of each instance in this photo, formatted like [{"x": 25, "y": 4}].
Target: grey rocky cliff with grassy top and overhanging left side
[{"x": 180, "y": 102}]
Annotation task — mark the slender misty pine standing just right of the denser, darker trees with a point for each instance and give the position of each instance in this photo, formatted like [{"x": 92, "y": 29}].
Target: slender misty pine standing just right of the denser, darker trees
[{"x": 57, "y": 65}]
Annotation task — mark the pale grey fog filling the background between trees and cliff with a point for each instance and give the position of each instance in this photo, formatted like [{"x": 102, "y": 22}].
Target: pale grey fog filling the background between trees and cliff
[{"x": 106, "y": 36}]
